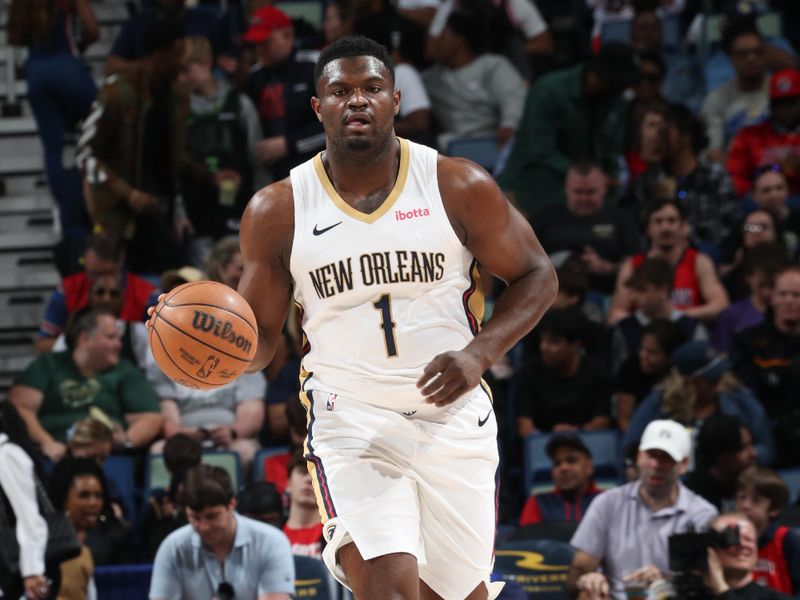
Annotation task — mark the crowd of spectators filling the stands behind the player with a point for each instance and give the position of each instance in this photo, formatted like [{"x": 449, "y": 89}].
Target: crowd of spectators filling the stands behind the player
[{"x": 659, "y": 167}]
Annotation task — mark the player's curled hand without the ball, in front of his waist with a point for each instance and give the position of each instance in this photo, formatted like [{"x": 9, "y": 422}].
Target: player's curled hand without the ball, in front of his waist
[{"x": 448, "y": 376}]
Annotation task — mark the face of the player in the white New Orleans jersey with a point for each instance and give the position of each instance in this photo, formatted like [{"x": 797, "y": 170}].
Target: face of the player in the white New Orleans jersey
[{"x": 356, "y": 104}]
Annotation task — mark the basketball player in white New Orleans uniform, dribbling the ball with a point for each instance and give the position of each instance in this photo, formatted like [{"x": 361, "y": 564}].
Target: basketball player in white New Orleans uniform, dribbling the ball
[{"x": 377, "y": 240}]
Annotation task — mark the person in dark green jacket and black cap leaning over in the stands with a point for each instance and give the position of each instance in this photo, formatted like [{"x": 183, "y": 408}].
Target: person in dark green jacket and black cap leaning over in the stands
[{"x": 575, "y": 113}]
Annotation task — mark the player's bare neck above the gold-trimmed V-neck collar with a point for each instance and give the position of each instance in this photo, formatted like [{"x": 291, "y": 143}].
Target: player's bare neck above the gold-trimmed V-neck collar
[{"x": 356, "y": 175}]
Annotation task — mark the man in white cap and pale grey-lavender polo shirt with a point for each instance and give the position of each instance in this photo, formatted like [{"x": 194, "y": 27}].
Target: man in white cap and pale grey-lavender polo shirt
[{"x": 625, "y": 529}]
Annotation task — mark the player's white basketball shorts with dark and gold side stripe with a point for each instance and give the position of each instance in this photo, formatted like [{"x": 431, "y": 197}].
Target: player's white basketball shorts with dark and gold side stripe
[{"x": 420, "y": 480}]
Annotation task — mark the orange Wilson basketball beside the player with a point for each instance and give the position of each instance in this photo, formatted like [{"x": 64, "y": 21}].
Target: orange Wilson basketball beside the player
[{"x": 203, "y": 335}]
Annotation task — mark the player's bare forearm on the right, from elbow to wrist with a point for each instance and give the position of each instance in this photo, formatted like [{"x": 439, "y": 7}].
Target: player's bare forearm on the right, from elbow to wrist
[{"x": 516, "y": 312}]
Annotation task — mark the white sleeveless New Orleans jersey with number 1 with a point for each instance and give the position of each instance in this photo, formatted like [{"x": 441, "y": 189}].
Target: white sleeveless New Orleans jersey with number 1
[{"x": 380, "y": 294}]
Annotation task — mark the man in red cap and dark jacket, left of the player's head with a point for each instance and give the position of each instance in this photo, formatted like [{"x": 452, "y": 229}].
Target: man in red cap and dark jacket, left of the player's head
[{"x": 281, "y": 87}]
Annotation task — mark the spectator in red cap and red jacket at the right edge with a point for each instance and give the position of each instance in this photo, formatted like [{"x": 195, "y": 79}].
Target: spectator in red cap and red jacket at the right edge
[{"x": 775, "y": 141}]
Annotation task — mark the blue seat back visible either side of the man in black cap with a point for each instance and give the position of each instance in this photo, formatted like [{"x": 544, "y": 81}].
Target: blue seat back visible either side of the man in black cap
[{"x": 603, "y": 444}]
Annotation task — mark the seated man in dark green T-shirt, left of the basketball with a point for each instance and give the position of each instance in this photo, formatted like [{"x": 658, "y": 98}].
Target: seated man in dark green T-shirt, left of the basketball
[{"x": 59, "y": 388}]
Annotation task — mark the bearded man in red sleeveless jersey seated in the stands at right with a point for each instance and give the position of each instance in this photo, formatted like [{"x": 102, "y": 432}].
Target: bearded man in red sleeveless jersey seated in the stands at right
[{"x": 696, "y": 289}]
